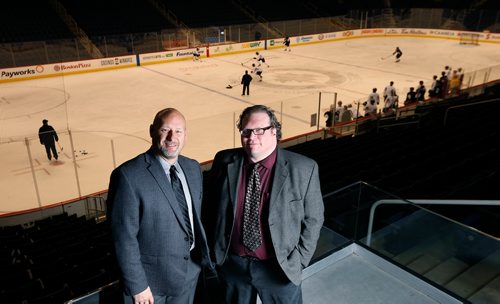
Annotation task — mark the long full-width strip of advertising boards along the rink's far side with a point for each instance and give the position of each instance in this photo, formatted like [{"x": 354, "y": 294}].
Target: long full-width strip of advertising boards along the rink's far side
[{"x": 68, "y": 68}]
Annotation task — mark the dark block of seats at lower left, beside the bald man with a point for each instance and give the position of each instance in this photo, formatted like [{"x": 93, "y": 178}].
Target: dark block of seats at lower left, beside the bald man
[{"x": 55, "y": 259}]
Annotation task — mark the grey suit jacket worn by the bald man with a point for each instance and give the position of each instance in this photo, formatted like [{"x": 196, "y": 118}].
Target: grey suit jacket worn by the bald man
[{"x": 149, "y": 233}]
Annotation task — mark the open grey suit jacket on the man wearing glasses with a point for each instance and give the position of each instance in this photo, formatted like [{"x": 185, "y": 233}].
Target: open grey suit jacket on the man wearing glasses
[{"x": 295, "y": 208}]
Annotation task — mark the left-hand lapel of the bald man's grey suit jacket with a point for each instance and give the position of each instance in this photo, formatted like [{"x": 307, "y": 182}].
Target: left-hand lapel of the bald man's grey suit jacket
[{"x": 156, "y": 170}]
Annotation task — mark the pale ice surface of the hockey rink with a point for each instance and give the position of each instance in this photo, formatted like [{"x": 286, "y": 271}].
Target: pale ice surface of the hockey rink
[{"x": 121, "y": 103}]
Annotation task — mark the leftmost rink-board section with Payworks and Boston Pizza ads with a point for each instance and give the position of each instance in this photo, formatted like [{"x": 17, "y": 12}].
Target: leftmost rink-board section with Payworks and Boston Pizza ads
[{"x": 65, "y": 68}]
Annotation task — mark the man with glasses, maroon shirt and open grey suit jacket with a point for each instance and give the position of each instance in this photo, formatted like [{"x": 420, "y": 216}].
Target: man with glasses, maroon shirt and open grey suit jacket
[{"x": 263, "y": 213}]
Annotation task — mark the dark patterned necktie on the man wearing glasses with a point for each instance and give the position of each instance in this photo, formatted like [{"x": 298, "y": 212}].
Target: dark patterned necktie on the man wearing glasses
[{"x": 251, "y": 227}]
